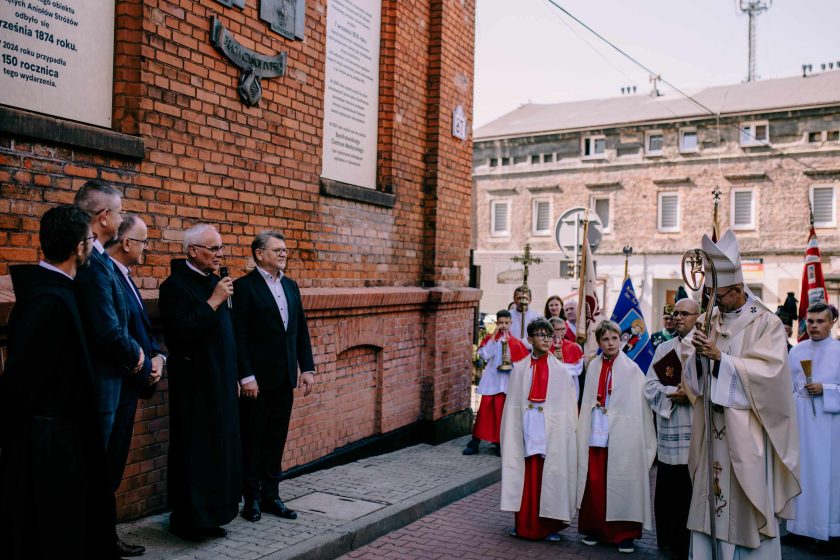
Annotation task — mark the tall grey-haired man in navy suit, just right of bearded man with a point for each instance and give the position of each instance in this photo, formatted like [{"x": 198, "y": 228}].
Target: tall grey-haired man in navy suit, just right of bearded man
[{"x": 115, "y": 355}]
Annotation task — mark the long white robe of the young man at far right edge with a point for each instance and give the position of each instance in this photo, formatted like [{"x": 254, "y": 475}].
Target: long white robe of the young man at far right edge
[{"x": 818, "y": 417}]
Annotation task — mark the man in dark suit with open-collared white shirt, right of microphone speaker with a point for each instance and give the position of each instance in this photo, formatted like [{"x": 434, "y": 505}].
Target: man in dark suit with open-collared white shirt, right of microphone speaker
[{"x": 272, "y": 340}]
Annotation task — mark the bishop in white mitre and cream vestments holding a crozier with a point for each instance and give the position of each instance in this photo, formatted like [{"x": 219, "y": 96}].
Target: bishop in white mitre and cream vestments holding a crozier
[{"x": 755, "y": 445}]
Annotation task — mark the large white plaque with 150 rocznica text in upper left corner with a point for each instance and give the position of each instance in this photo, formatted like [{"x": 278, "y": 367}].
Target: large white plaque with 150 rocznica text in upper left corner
[{"x": 57, "y": 57}]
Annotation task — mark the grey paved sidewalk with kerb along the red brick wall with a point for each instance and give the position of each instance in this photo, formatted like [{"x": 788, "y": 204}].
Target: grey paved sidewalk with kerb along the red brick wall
[{"x": 339, "y": 509}]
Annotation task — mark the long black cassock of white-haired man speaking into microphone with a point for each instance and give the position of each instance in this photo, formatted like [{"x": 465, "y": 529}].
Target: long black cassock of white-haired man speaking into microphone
[{"x": 204, "y": 470}]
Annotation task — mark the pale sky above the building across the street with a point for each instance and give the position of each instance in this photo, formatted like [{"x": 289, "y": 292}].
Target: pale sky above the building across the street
[{"x": 529, "y": 51}]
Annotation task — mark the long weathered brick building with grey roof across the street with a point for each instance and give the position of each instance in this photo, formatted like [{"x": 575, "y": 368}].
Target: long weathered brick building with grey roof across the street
[{"x": 647, "y": 165}]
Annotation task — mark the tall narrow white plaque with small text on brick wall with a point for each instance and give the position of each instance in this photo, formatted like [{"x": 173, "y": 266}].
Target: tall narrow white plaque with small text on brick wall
[{"x": 351, "y": 96}]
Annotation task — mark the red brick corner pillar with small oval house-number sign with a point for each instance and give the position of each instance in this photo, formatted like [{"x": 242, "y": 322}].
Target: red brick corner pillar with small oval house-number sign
[{"x": 447, "y": 189}]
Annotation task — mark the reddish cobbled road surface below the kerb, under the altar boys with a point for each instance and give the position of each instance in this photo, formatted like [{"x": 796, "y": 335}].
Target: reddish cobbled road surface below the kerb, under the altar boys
[{"x": 475, "y": 529}]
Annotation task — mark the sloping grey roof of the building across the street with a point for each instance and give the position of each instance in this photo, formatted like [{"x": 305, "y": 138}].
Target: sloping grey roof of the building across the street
[{"x": 761, "y": 96}]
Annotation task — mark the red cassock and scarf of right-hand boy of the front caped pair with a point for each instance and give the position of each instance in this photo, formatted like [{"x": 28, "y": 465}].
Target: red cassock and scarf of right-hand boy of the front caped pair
[{"x": 593, "y": 509}]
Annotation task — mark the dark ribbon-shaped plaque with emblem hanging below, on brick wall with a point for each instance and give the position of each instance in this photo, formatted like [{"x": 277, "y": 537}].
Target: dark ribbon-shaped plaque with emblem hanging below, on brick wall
[{"x": 254, "y": 65}]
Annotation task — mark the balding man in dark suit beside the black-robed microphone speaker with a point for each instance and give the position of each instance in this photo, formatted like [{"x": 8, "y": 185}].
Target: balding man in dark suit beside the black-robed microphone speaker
[{"x": 126, "y": 250}]
